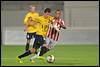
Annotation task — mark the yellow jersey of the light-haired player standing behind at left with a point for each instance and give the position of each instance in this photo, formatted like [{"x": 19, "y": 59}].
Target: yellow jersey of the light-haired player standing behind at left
[{"x": 31, "y": 29}]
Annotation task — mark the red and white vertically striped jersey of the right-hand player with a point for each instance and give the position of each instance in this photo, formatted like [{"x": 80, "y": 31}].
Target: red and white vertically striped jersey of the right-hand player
[{"x": 52, "y": 33}]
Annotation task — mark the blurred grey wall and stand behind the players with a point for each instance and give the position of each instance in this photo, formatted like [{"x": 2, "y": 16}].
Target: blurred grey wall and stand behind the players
[{"x": 81, "y": 18}]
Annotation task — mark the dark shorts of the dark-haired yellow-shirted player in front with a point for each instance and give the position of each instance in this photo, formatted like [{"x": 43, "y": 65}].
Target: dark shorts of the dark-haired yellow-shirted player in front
[{"x": 39, "y": 41}]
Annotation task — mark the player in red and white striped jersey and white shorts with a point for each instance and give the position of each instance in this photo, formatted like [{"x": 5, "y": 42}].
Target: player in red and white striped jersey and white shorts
[{"x": 52, "y": 34}]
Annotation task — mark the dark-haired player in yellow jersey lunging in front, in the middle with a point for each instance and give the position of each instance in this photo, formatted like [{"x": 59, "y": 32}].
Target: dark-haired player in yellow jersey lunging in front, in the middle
[{"x": 43, "y": 22}]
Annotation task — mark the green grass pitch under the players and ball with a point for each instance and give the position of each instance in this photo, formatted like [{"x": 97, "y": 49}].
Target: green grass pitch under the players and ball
[{"x": 65, "y": 55}]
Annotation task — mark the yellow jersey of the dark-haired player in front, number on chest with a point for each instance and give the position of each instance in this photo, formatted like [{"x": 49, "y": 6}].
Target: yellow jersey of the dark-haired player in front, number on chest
[{"x": 43, "y": 25}]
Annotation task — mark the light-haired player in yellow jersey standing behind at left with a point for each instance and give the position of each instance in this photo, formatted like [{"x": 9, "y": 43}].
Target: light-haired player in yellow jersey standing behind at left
[{"x": 29, "y": 24}]
